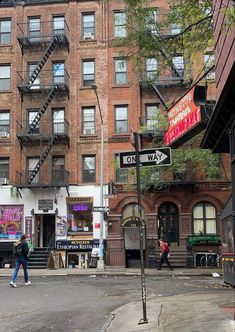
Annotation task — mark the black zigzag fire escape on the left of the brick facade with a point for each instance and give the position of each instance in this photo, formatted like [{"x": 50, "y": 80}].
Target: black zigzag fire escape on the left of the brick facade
[{"x": 41, "y": 85}]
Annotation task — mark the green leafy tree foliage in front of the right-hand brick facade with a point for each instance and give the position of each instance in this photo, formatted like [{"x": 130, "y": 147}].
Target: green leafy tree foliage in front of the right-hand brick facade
[{"x": 150, "y": 35}]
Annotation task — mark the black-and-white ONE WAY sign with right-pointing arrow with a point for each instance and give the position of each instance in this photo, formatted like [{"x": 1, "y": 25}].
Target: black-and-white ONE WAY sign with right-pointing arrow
[{"x": 153, "y": 157}]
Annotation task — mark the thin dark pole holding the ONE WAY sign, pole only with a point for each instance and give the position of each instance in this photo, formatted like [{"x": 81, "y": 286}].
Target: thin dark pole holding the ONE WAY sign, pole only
[{"x": 144, "y": 320}]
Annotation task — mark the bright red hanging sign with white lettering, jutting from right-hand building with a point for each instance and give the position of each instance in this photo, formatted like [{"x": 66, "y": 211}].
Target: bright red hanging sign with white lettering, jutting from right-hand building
[{"x": 185, "y": 120}]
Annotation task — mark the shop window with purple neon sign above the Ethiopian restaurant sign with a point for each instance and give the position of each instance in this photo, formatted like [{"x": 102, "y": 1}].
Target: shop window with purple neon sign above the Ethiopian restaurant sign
[{"x": 79, "y": 215}]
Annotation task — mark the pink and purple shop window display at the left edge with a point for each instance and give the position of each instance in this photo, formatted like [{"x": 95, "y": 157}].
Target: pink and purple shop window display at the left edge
[{"x": 11, "y": 221}]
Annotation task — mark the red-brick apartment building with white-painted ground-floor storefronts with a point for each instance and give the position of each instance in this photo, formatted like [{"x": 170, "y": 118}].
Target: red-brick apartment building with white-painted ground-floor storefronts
[{"x": 51, "y": 52}]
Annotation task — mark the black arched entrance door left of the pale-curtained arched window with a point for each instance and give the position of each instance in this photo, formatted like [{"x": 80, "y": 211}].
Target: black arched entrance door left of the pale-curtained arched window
[{"x": 168, "y": 223}]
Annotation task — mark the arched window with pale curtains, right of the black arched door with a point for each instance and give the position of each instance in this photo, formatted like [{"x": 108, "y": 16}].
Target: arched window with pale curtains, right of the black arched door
[{"x": 204, "y": 218}]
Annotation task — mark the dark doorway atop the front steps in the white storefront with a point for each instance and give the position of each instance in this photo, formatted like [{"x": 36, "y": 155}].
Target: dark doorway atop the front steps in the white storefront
[{"x": 49, "y": 230}]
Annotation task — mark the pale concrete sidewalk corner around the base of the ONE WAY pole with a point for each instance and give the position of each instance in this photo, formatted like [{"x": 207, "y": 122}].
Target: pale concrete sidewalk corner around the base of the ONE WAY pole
[{"x": 207, "y": 312}]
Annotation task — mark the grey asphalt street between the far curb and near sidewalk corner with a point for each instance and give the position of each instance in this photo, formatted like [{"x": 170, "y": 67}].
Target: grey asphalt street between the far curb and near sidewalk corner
[{"x": 84, "y": 303}]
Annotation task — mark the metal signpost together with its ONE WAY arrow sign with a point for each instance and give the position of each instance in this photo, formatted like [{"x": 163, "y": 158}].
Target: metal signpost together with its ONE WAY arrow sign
[{"x": 153, "y": 157}]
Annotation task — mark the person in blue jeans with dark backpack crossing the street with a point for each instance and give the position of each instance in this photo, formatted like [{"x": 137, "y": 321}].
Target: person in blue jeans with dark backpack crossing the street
[{"x": 20, "y": 253}]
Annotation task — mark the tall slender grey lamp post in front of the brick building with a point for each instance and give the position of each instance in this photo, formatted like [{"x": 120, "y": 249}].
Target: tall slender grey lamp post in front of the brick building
[{"x": 100, "y": 263}]
